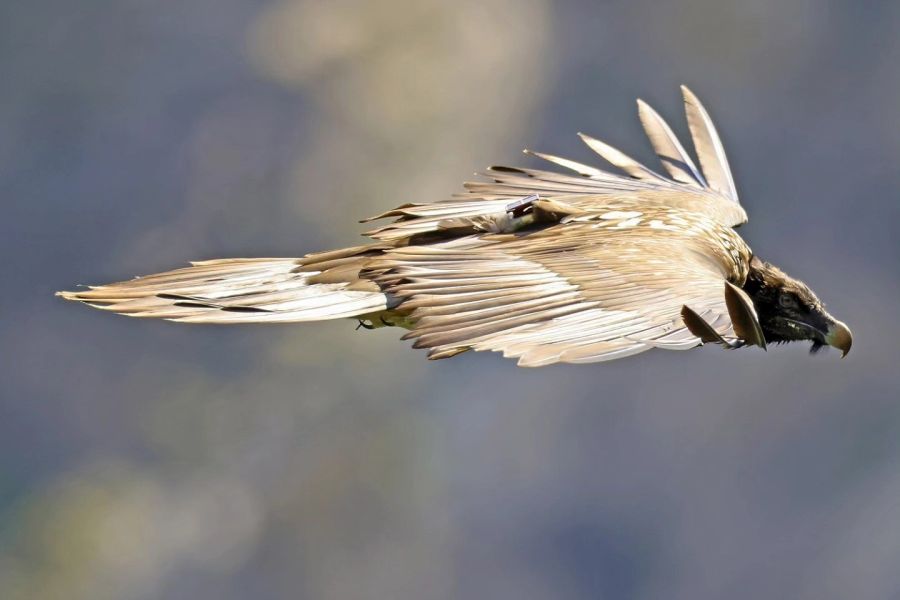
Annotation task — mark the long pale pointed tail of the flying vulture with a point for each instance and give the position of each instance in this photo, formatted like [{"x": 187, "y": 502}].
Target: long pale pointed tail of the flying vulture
[{"x": 239, "y": 290}]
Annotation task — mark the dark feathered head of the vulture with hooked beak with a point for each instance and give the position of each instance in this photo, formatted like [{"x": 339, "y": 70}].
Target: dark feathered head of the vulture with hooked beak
[{"x": 789, "y": 311}]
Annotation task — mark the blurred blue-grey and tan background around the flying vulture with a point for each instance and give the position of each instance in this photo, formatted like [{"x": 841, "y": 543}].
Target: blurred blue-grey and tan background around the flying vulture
[{"x": 144, "y": 460}]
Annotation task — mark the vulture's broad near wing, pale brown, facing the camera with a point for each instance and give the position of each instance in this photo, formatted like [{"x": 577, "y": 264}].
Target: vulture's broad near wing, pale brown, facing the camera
[{"x": 578, "y": 293}]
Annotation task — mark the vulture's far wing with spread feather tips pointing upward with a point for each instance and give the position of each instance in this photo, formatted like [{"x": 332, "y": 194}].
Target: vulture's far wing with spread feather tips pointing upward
[{"x": 590, "y": 189}]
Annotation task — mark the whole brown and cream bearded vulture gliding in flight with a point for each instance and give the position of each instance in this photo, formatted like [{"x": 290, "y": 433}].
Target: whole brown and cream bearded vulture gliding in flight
[{"x": 577, "y": 267}]
